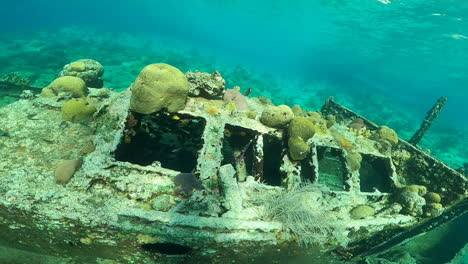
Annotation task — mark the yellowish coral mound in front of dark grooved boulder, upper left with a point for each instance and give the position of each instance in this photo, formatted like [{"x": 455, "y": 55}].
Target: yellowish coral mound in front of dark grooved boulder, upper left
[{"x": 72, "y": 86}]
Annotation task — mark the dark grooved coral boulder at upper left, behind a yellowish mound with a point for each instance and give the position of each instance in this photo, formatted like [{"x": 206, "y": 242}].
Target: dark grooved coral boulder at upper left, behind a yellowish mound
[{"x": 88, "y": 70}]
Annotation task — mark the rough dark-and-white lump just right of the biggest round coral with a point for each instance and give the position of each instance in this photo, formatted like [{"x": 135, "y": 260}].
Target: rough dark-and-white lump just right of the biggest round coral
[{"x": 205, "y": 84}]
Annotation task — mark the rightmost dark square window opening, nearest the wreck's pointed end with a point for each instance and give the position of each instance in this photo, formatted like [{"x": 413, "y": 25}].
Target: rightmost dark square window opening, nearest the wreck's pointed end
[{"x": 374, "y": 174}]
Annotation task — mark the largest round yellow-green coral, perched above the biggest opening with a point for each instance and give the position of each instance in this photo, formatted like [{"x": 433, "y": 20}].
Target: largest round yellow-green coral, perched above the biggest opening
[{"x": 159, "y": 86}]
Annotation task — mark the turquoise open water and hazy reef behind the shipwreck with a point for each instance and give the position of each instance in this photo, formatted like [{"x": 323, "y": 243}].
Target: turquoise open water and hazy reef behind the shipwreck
[{"x": 388, "y": 60}]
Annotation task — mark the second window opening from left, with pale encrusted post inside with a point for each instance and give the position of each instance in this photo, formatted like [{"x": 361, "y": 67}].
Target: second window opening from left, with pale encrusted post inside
[{"x": 238, "y": 150}]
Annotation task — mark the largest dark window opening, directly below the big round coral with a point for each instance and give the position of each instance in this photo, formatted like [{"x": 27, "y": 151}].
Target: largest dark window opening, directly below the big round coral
[{"x": 174, "y": 140}]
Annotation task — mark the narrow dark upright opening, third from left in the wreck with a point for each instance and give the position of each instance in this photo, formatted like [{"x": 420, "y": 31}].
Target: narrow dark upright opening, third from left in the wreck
[{"x": 272, "y": 156}]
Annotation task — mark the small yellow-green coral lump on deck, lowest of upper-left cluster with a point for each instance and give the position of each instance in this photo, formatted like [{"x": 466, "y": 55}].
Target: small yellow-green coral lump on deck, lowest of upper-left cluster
[{"x": 77, "y": 110}]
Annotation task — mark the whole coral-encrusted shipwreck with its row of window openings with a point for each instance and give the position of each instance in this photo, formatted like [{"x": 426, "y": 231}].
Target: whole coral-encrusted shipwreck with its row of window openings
[{"x": 156, "y": 171}]
